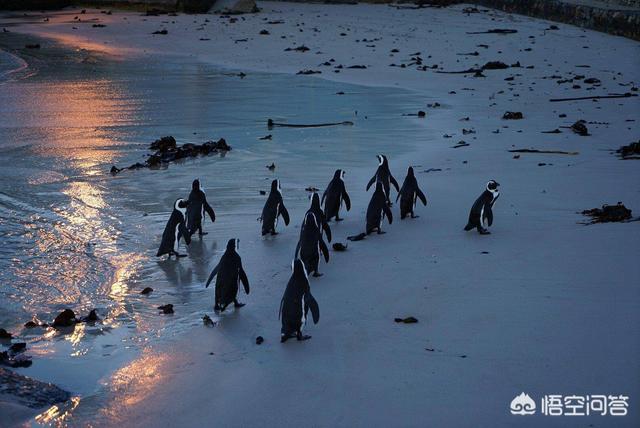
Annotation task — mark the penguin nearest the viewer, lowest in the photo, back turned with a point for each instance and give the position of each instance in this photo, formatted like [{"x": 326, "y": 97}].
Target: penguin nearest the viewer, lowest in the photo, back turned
[{"x": 295, "y": 304}]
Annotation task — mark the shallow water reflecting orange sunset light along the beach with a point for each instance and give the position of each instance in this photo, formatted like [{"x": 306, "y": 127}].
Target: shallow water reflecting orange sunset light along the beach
[{"x": 74, "y": 236}]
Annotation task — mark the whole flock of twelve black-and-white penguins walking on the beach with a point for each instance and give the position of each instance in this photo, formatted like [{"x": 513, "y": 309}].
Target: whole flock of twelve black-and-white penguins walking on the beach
[{"x": 188, "y": 215}]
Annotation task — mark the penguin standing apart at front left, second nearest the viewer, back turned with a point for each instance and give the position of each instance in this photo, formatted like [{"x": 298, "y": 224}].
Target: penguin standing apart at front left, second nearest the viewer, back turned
[{"x": 230, "y": 272}]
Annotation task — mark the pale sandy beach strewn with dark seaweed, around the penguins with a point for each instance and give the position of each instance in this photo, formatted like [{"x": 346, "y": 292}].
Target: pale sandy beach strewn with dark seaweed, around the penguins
[{"x": 544, "y": 305}]
